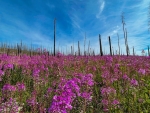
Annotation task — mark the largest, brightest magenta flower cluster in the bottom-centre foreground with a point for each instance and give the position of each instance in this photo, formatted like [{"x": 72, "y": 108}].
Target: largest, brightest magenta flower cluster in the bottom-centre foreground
[{"x": 62, "y": 103}]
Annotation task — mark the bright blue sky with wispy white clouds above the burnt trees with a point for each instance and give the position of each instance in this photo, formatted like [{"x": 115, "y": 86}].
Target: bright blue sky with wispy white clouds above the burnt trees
[{"x": 32, "y": 22}]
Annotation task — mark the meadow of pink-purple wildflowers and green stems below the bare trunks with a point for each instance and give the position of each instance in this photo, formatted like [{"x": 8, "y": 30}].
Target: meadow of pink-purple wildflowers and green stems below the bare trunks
[{"x": 74, "y": 84}]
